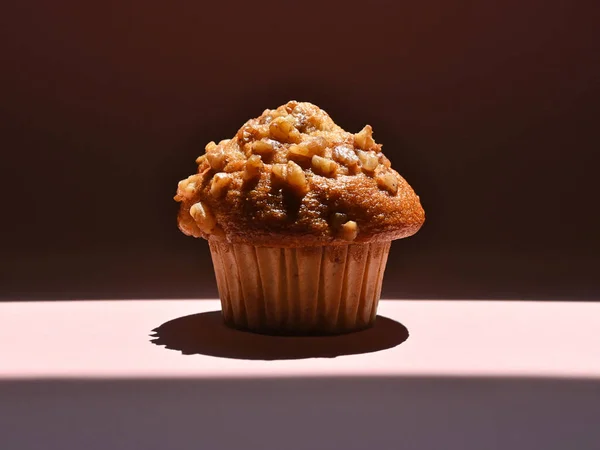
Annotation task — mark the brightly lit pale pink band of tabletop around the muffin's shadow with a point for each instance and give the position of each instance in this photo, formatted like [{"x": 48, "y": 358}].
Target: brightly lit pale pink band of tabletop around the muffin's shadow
[{"x": 111, "y": 339}]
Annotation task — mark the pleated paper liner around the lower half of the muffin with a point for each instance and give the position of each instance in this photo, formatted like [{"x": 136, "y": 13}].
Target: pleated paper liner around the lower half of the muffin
[{"x": 307, "y": 290}]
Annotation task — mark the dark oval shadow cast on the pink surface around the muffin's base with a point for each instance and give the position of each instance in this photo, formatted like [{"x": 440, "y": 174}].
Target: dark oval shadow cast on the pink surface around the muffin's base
[{"x": 206, "y": 334}]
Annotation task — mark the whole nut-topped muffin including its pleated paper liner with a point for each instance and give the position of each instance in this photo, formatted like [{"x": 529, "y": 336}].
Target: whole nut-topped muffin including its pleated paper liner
[{"x": 299, "y": 216}]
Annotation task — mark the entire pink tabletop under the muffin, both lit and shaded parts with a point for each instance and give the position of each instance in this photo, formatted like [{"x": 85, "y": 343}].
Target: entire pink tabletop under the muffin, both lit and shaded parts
[{"x": 430, "y": 375}]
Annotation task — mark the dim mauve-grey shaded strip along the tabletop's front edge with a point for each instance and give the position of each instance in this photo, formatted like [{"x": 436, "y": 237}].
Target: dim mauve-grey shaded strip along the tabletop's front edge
[{"x": 303, "y": 412}]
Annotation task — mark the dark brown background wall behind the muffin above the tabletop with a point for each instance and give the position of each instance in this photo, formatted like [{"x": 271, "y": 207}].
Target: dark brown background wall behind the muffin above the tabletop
[{"x": 490, "y": 109}]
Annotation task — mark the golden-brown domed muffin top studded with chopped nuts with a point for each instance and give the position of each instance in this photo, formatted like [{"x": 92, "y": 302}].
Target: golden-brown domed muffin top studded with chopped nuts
[{"x": 292, "y": 177}]
